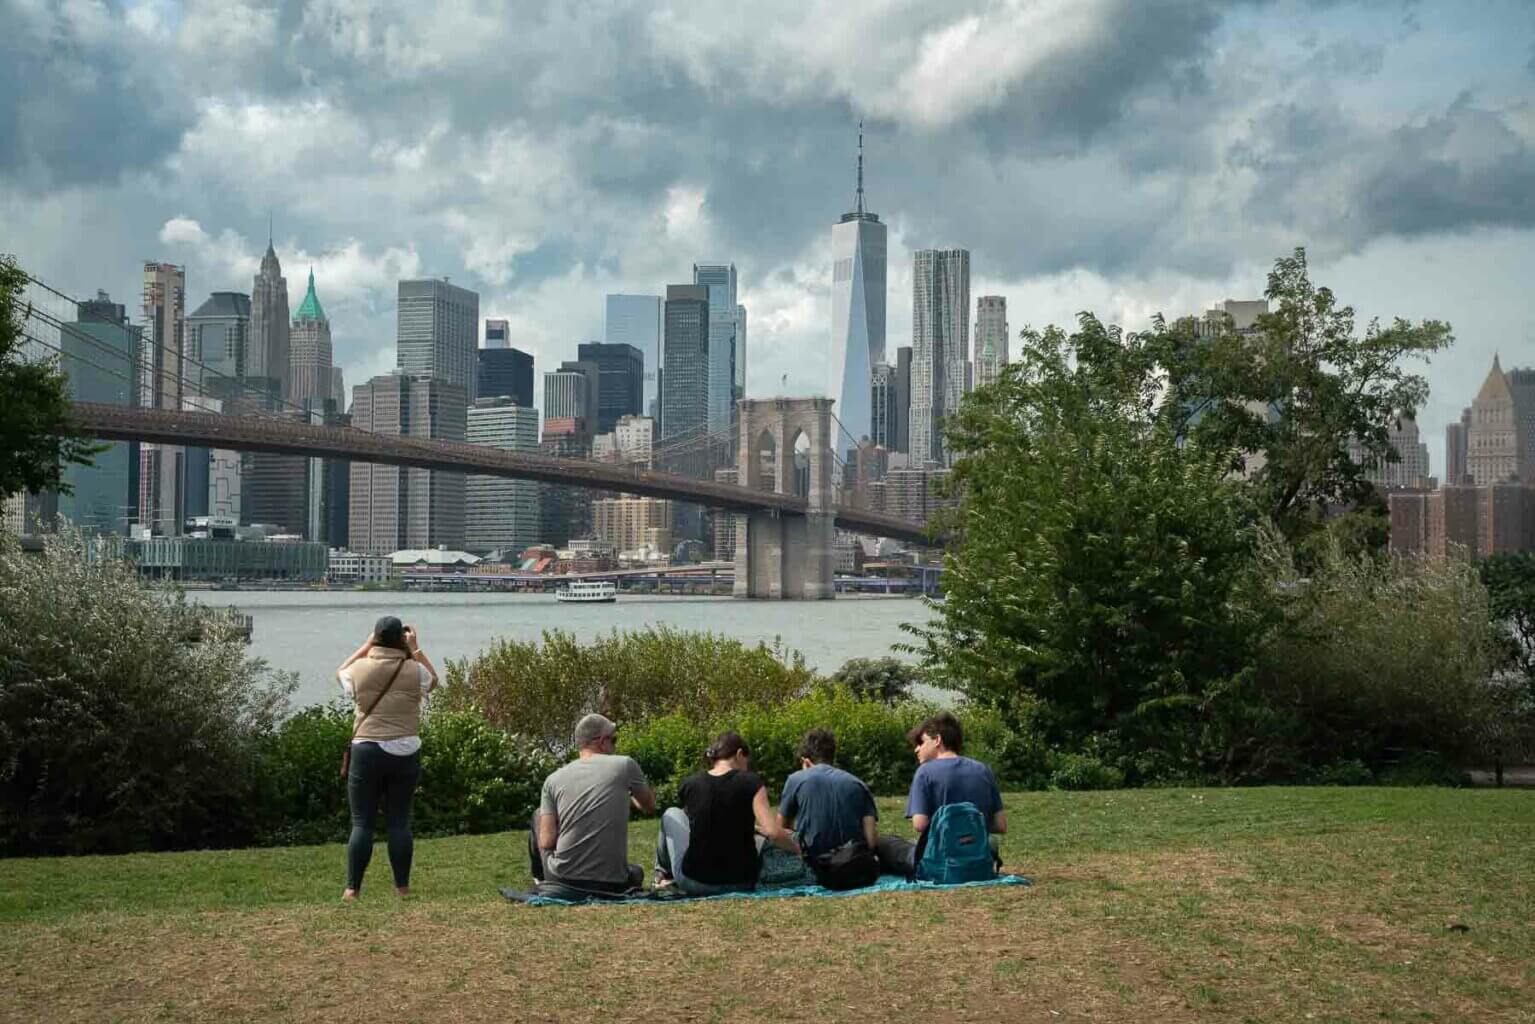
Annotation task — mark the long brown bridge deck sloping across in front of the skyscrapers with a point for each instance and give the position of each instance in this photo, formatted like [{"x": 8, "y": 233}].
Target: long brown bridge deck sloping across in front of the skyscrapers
[{"x": 260, "y": 434}]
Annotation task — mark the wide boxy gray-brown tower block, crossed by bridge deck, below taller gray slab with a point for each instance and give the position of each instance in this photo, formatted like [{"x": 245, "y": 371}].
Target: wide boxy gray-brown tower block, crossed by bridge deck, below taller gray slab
[{"x": 401, "y": 507}]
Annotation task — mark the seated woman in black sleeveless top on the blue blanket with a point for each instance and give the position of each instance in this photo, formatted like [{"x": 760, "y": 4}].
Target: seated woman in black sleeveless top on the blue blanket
[{"x": 710, "y": 844}]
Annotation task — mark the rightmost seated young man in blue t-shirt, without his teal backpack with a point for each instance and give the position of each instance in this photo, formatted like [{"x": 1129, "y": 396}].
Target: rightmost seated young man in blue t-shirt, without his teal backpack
[{"x": 943, "y": 776}]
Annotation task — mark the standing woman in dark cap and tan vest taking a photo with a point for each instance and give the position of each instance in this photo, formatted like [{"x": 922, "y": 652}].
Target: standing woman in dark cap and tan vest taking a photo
[{"x": 388, "y": 679}]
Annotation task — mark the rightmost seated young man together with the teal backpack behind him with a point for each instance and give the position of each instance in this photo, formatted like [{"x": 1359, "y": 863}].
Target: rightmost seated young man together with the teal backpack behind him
[{"x": 956, "y": 807}]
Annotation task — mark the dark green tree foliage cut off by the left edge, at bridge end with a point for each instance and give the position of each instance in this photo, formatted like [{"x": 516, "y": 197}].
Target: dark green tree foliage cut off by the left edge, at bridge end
[{"x": 36, "y": 435}]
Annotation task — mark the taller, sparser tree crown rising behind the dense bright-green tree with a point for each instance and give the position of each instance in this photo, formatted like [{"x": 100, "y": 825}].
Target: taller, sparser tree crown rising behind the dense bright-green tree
[{"x": 1290, "y": 395}]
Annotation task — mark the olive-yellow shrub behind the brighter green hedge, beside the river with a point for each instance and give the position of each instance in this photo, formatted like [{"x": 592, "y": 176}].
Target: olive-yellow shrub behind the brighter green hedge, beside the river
[{"x": 541, "y": 690}]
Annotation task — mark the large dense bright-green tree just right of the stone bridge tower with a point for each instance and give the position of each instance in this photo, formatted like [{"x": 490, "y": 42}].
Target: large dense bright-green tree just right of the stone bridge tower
[{"x": 1097, "y": 555}]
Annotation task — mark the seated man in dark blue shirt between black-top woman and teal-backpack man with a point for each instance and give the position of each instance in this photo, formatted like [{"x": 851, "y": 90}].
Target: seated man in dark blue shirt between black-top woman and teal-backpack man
[{"x": 830, "y": 808}]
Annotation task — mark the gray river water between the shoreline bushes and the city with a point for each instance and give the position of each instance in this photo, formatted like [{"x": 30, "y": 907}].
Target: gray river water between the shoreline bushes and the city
[{"x": 311, "y": 633}]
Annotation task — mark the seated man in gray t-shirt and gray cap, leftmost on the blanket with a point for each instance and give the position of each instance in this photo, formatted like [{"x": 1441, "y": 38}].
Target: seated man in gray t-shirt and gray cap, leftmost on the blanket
[{"x": 581, "y": 836}]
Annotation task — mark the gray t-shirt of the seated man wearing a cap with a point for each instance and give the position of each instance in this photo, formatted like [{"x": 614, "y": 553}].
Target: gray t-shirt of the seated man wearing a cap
[{"x": 590, "y": 799}]
